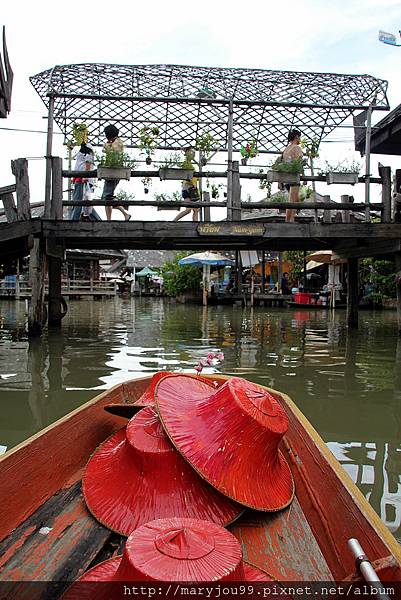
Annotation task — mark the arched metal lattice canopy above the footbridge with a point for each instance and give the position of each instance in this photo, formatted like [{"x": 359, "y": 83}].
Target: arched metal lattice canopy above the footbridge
[{"x": 185, "y": 102}]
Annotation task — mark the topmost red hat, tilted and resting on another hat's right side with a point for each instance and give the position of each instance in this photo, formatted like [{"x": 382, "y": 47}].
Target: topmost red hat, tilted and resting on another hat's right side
[{"x": 230, "y": 436}]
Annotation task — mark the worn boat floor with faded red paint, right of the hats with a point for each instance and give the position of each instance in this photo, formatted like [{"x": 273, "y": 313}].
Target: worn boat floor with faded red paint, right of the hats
[{"x": 282, "y": 544}]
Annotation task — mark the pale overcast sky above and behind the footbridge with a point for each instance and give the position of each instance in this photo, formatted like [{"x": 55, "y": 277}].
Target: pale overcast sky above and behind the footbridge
[{"x": 309, "y": 35}]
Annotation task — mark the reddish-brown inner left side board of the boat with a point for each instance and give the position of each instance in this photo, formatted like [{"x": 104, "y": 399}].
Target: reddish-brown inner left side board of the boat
[{"x": 28, "y": 468}]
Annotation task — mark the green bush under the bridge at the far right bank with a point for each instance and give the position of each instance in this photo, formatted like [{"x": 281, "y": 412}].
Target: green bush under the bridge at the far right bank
[{"x": 379, "y": 275}]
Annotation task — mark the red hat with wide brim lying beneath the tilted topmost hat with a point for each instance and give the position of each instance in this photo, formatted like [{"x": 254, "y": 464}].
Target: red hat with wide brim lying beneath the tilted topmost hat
[{"x": 137, "y": 476}]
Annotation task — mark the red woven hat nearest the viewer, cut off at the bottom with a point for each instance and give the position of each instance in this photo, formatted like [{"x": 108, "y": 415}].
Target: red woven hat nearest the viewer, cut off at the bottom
[{"x": 176, "y": 549}]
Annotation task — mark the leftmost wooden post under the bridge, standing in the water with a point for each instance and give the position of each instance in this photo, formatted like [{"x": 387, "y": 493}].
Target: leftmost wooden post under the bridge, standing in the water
[{"x": 37, "y": 267}]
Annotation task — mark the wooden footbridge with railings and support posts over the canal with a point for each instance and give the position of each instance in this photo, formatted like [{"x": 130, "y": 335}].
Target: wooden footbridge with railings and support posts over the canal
[{"x": 47, "y": 238}]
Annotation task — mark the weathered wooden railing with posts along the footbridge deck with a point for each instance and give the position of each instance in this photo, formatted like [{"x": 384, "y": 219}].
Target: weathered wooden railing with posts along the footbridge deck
[{"x": 21, "y": 210}]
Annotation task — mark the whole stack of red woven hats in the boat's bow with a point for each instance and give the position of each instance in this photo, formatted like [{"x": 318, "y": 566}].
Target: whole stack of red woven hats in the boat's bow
[{"x": 180, "y": 471}]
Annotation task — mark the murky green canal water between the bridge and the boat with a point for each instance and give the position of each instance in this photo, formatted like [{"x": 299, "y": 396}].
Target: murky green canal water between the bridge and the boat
[{"x": 347, "y": 383}]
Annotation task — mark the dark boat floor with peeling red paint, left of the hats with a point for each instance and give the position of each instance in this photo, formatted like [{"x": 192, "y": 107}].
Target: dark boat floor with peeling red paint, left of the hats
[{"x": 59, "y": 554}]
